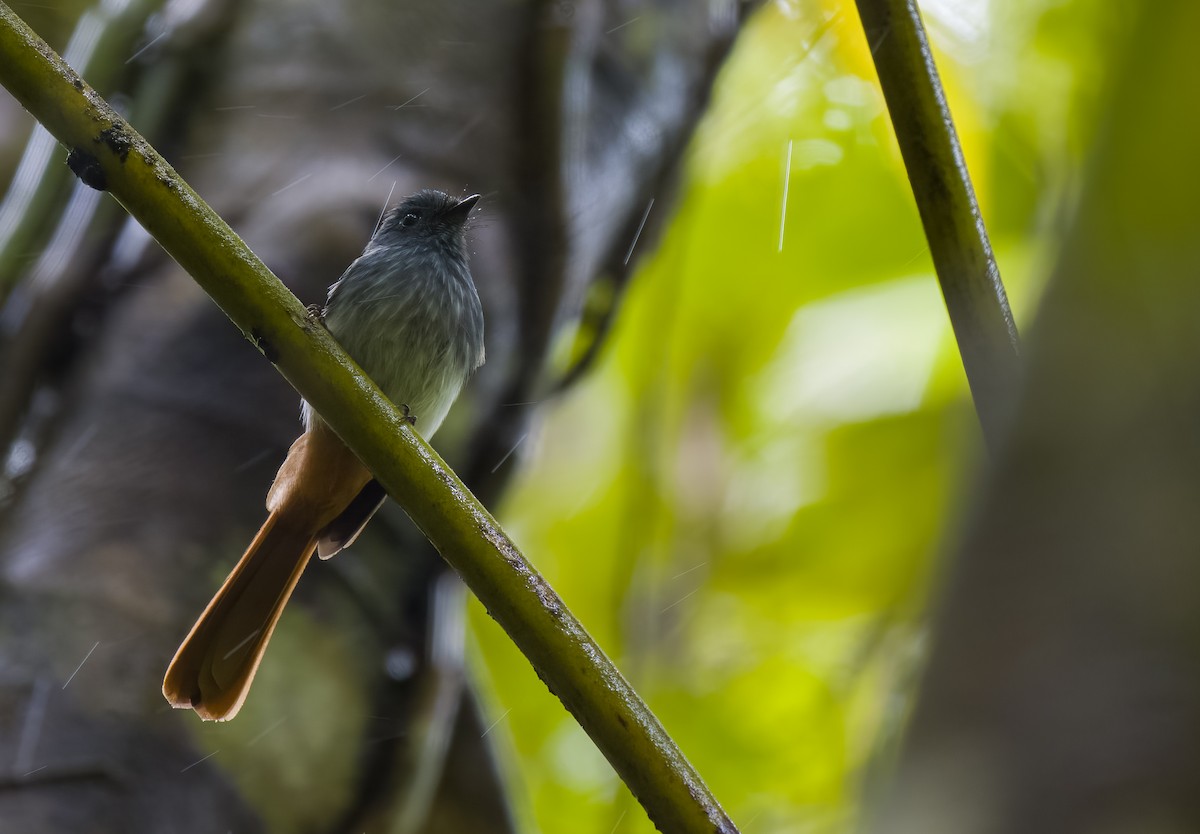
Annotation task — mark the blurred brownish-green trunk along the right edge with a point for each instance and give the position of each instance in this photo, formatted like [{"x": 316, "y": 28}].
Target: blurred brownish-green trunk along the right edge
[{"x": 1064, "y": 688}]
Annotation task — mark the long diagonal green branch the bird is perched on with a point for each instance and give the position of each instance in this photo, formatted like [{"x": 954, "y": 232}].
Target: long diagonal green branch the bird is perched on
[{"x": 107, "y": 153}]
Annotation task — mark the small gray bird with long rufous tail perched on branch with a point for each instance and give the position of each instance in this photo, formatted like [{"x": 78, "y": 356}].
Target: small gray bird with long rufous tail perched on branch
[{"x": 409, "y": 314}]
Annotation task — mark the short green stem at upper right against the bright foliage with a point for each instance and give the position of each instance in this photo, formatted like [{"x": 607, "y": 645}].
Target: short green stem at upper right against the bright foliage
[{"x": 958, "y": 242}]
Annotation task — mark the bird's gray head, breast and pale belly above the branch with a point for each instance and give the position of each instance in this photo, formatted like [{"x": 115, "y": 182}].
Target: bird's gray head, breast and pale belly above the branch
[{"x": 407, "y": 310}]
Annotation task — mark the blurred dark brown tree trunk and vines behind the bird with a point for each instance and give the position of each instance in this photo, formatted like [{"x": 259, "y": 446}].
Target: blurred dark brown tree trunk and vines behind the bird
[{"x": 166, "y": 428}]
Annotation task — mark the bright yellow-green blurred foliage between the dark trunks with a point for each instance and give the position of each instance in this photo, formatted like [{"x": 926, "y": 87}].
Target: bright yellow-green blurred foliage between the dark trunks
[{"x": 747, "y": 499}]
